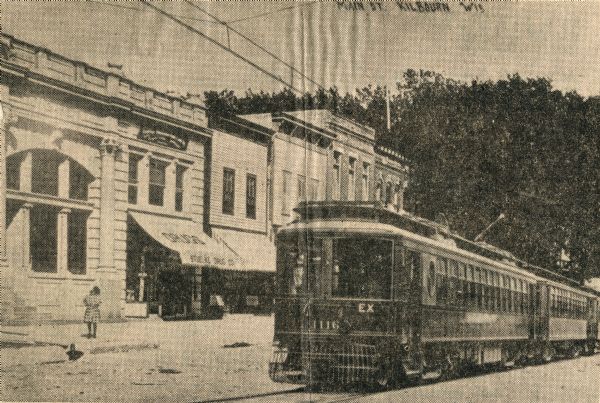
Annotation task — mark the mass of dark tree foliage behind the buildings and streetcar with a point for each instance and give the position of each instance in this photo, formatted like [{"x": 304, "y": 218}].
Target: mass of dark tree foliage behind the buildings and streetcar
[{"x": 515, "y": 146}]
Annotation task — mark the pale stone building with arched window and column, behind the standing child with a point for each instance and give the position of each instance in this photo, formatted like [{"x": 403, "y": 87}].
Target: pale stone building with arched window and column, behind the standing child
[{"x": 85, "y": 153}]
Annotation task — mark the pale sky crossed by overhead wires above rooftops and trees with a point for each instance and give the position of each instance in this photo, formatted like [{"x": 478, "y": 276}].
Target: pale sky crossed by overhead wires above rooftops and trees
[{"x": 332, "y": 44}]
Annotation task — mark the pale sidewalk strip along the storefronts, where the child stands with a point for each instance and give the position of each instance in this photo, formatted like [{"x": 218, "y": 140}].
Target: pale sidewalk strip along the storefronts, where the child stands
[{"x": 134, "y": 335}]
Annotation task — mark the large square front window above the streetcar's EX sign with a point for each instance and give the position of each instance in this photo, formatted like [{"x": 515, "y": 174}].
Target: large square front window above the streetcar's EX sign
[{"x": 362, "y": 268}]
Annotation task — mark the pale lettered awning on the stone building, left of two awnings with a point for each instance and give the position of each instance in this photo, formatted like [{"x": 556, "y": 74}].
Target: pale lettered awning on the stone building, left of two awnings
[{"x": 194, "y": 246}]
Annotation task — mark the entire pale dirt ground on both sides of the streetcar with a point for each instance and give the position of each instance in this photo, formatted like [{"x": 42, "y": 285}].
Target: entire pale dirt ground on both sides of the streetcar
[{"x": 186, "y": 361}]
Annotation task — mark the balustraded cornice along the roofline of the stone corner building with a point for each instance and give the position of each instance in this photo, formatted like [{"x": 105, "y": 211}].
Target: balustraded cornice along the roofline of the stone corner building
[{"x": 24, "y": 61}]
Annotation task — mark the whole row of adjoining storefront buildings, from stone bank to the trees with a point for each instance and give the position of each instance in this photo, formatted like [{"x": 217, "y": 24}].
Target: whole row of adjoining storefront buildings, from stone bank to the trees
[{"x": 168, "y": 209}]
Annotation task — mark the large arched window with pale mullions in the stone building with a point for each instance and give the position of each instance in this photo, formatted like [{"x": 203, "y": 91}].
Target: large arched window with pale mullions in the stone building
[{"x": 45, "y": 193}]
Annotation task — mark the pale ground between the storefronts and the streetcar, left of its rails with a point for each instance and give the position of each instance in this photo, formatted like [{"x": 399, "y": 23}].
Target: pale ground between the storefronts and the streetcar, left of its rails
[{"x": 154, "y": 361}]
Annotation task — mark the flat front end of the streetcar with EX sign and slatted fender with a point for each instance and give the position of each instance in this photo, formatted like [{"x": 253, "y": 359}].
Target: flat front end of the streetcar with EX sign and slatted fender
[{"x": 334, "y": 314}]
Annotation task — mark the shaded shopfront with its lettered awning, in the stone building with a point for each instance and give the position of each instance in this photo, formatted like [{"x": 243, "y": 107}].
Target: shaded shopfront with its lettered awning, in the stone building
[{"x": 174, "y": 268}]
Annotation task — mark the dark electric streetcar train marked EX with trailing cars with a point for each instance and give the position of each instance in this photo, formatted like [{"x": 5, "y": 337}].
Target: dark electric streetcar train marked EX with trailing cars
[{"x": 369, "y": 295}]
